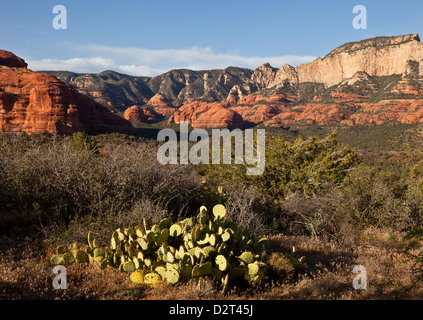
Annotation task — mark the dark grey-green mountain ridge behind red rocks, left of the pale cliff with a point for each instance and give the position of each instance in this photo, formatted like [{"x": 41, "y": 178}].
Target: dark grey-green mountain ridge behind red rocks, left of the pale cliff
[{"x": 119, "y": 91}]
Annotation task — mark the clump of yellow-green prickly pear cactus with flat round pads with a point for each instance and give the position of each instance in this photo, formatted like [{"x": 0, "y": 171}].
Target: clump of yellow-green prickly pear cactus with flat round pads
[{"x": 207, "y": 246}]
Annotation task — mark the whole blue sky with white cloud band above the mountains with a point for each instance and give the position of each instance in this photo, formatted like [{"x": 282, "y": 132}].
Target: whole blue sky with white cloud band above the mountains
[{"x": 147, "y": 37}]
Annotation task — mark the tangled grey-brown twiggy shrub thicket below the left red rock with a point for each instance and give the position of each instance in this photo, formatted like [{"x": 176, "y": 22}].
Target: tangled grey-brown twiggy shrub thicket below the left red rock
[{"x": 59, "y": 179}]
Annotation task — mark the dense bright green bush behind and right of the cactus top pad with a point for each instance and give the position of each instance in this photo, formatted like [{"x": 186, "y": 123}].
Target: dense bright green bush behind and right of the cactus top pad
[{"x": 305, "y": 165}]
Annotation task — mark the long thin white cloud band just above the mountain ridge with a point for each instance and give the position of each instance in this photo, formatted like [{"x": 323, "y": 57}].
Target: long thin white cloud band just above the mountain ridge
[{"x": 148, "y": 62}]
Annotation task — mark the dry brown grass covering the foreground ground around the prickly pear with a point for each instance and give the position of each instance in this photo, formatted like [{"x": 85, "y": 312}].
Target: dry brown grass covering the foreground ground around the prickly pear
[{"x": 326, "y": 273}]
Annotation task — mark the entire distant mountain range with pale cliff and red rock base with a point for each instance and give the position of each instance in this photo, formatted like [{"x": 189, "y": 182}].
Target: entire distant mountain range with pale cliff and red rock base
[{"x": 369, "y": 81}]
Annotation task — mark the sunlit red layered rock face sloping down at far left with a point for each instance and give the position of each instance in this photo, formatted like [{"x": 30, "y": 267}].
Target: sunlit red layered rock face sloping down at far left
[{"x": 33, "y": 102}]
